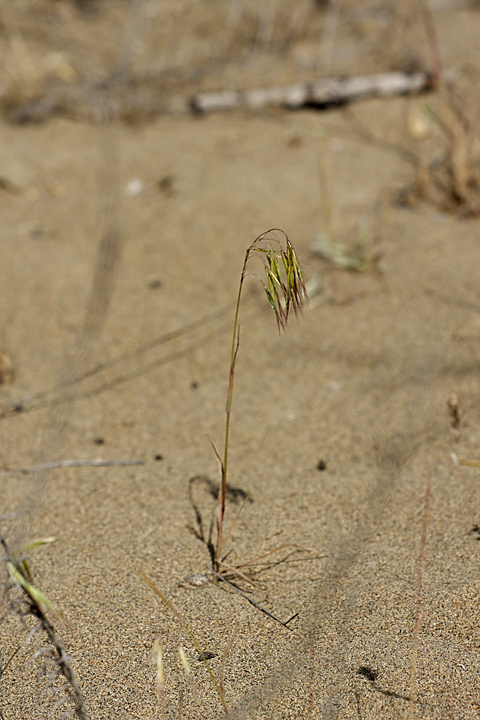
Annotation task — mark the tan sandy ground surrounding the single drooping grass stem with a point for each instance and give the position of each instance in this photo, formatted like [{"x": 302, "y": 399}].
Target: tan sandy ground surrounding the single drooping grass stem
[{"x": 336, "y": 426}]
